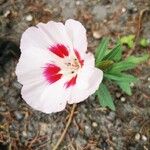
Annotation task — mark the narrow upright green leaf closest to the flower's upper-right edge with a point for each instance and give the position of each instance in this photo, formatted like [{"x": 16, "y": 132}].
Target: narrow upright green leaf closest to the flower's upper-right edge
[{"x": 100, "y": 51}]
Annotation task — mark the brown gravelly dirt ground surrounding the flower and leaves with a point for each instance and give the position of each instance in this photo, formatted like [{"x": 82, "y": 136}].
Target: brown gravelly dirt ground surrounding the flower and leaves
[{"x": 93, "y": 127}]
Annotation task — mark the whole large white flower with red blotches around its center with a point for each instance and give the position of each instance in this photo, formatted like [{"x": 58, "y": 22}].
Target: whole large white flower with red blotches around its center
[{"x": 54, "y": 67}]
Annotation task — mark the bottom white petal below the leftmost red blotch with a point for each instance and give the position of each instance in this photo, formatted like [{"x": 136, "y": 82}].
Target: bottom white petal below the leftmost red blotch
[{"x": 44, "y": 97}]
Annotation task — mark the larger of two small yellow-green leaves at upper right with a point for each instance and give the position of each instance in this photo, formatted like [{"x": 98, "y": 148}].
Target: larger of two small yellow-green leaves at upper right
[{"x": 128, "y": 40}]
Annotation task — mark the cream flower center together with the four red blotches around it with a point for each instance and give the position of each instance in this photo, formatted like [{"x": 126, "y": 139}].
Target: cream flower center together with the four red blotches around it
[{"x": 67, "y": 66}]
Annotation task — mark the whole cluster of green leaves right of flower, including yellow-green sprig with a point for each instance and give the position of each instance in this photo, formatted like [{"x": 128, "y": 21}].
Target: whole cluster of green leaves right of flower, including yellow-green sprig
[{"x": 114, "y": 68}]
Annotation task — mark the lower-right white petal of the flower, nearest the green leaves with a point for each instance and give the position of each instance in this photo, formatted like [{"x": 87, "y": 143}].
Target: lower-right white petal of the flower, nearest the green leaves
[{"x": 80, "y": 92}]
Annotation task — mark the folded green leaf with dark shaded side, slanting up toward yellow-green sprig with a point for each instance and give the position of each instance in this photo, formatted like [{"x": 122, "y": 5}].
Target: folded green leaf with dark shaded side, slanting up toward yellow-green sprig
[{"x": 114, "y": 54}]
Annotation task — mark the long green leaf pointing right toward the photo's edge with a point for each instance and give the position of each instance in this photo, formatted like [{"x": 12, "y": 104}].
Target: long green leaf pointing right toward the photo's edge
[{"x": 130, "y": 63}]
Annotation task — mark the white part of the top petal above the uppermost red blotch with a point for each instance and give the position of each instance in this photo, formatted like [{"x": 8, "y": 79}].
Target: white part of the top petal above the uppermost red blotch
[{"x": 56, "y": 33}]
